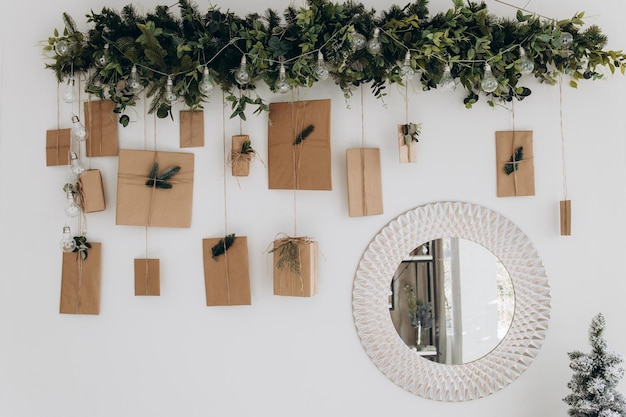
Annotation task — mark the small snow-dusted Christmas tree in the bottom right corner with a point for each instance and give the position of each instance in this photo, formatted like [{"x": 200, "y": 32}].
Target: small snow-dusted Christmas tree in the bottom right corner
[{"x": 595, "y": 378}]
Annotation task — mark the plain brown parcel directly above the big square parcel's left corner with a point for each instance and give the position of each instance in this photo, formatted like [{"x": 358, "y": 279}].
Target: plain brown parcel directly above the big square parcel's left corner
[{"x": 101, "y": 124}]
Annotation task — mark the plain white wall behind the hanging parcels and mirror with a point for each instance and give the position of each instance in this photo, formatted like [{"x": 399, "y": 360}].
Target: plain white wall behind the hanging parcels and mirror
[{"x": 172, "y": 355}]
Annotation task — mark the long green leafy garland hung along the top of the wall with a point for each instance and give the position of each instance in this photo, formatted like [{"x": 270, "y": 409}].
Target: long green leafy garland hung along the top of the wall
[{"x": 162, "y": 43}]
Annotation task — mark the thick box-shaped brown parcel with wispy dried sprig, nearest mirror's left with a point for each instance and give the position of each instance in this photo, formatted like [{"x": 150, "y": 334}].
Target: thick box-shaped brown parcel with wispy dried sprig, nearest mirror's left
[{"x": 290, "y": 283}]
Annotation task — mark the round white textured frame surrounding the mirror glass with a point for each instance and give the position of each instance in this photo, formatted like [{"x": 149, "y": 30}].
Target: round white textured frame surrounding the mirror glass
[{"x": 405, "y": 367}]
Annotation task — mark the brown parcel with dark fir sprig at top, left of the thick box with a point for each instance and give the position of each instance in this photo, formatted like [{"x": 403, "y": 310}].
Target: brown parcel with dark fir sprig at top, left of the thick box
[{"x": 227, "y": 277}]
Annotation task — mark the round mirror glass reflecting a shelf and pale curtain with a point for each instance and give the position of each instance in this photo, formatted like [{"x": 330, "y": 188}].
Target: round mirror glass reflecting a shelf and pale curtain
[{"x": 451, "y": 300}]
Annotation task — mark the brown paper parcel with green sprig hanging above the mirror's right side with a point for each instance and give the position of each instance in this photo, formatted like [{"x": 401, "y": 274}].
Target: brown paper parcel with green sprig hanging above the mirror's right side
[{"x": 521, "y": 182}]
